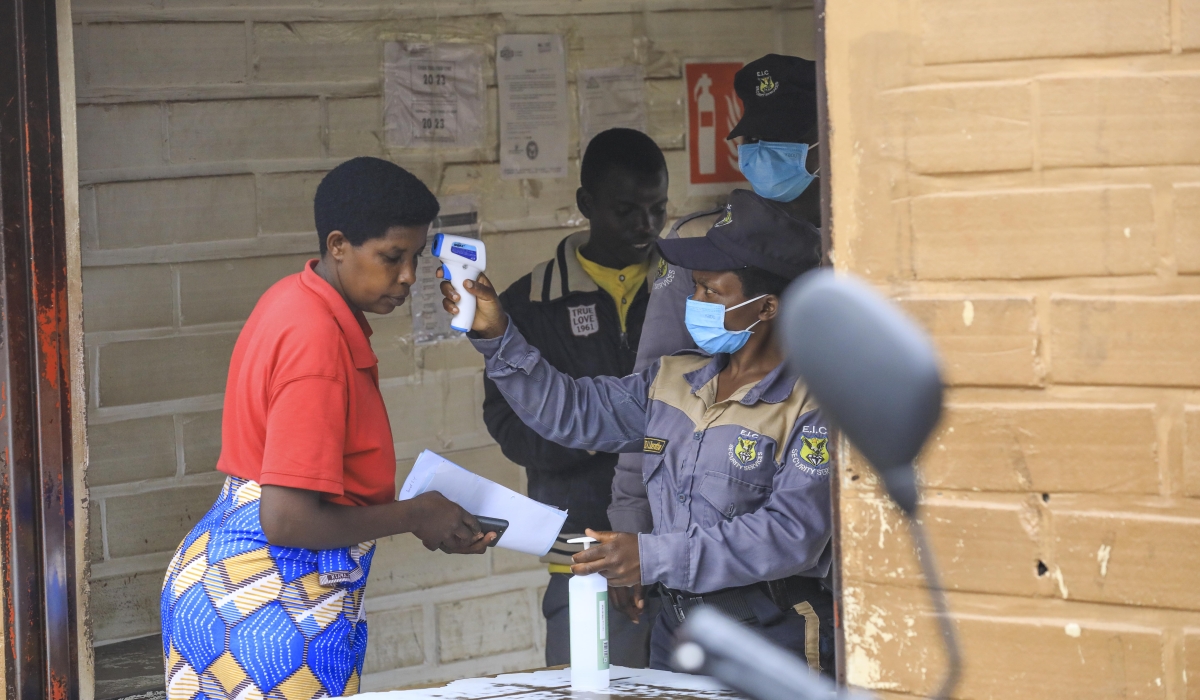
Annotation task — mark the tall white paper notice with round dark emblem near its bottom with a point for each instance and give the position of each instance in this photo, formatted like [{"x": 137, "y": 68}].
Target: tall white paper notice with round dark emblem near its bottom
[{"x": 531, "y": 74}]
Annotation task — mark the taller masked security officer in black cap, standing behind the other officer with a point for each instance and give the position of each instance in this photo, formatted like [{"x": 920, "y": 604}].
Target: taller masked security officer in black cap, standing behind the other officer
[{"x": 778, "y": 157}]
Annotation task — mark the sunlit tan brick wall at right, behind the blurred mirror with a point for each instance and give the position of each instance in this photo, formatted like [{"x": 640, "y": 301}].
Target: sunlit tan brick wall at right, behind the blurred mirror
[{"x": 1023, "y": 176}]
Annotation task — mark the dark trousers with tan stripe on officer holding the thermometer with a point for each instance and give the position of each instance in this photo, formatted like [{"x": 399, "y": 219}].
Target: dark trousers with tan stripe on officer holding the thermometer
[{"x": 790, "y": 630}]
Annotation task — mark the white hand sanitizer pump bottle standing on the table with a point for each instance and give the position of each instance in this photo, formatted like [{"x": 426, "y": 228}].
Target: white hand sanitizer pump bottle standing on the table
[{"x": 590, "y": 629}]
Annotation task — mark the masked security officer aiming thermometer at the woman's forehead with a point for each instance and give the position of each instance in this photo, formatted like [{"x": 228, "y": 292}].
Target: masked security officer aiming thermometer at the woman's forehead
[{"x": 737, "y": 459}]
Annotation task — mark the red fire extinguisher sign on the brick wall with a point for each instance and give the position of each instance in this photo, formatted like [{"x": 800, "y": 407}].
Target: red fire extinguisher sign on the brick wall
[{"x": 713, "y": 110}]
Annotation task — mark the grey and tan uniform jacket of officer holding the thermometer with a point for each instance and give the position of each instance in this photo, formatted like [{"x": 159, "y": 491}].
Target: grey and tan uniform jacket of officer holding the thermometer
[{"x": 739, "y": 490}]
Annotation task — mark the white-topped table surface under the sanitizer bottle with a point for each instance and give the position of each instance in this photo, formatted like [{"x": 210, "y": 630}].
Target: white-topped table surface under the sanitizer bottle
[{"x": 556, "y": 685}]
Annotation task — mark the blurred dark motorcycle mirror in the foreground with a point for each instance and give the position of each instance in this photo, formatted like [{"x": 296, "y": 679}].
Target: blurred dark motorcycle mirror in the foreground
[{"x": 873, "y": 372}]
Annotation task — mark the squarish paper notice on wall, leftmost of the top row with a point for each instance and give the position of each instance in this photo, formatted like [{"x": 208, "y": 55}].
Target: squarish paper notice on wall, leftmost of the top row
[{"x": 434, "y": 95}]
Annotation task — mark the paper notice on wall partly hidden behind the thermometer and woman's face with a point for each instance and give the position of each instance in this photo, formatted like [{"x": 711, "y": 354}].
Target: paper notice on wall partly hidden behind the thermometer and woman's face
[{"x": 459, "y": 217}]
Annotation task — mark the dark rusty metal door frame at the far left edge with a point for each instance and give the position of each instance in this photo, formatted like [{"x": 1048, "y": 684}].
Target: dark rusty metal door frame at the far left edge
[{"x": 39, "y": 494}]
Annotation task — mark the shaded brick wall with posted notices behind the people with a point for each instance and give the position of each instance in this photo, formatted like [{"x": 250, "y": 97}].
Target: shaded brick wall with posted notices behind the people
[{"x": 205, "y": 128}]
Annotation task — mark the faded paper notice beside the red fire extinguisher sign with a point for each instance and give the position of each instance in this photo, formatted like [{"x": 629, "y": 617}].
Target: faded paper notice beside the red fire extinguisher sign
[{"x": 610, "y": 99}]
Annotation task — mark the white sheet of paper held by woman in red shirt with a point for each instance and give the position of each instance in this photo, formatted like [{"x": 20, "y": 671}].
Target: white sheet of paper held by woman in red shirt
[{"x": 533, "y": 527}]
